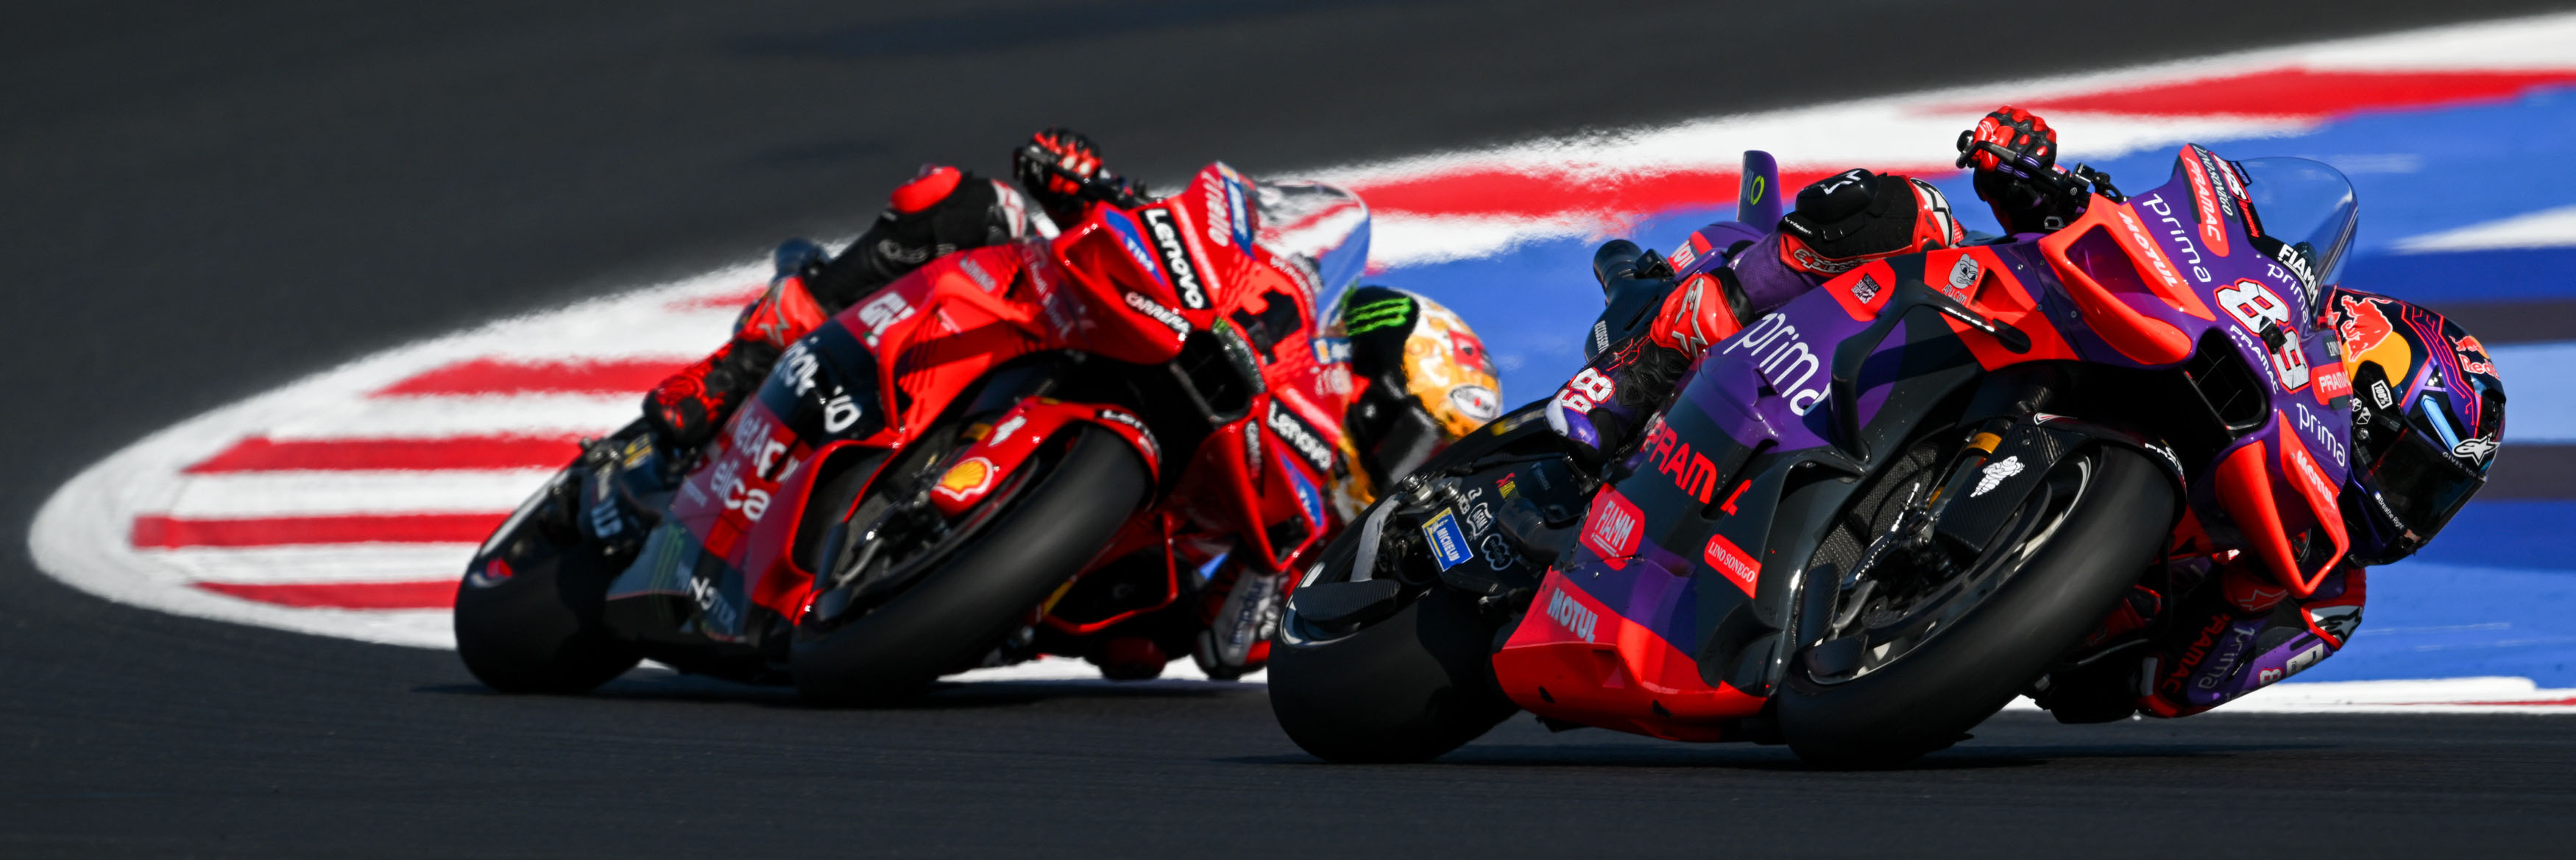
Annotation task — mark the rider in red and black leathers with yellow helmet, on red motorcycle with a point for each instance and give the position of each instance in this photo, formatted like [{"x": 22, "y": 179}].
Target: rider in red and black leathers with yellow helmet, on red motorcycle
[{"x": 1413, "y": 362}]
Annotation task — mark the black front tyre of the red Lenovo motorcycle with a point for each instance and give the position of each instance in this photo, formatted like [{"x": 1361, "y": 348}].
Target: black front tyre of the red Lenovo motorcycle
[{"x": 962, "y": 609}]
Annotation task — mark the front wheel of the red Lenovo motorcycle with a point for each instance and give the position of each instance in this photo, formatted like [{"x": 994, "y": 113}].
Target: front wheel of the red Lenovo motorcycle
[{"x": 918, "y": 596}]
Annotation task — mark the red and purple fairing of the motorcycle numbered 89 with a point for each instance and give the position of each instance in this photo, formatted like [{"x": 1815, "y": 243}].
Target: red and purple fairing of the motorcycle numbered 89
[{"x": 2124, "y": 300}]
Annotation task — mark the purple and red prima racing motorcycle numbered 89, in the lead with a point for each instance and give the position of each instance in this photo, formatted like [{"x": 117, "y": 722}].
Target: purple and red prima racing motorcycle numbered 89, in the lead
[{"x": 1871, "y": 519}]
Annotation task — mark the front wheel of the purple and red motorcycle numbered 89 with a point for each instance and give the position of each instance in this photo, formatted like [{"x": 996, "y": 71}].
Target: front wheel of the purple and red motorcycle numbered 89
[{"x": 1915, "y": 673}]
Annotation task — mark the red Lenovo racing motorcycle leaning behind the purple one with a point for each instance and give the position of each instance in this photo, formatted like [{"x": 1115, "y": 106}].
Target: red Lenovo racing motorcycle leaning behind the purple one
[{"x": 1014, "y": 452}]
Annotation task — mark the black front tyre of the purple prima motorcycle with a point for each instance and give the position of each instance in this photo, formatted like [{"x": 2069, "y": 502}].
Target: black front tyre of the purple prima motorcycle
[{"x": 1962, "y": 676}]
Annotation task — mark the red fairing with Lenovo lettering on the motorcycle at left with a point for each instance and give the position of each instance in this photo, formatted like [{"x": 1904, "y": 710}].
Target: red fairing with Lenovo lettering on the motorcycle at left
[{"x": 1217, "y": 261}]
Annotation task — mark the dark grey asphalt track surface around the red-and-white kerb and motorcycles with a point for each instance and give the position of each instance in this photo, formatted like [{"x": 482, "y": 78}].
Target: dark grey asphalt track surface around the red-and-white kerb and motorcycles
[{"x": 205, "y": 202}]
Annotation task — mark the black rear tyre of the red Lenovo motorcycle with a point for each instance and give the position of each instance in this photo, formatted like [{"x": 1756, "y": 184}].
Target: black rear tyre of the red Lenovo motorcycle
[{"x": 540, "y": 632}]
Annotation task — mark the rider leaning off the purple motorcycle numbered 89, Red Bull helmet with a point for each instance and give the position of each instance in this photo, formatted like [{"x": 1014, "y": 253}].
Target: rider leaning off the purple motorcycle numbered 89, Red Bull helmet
[{"x": 2206, "y": 627}]
